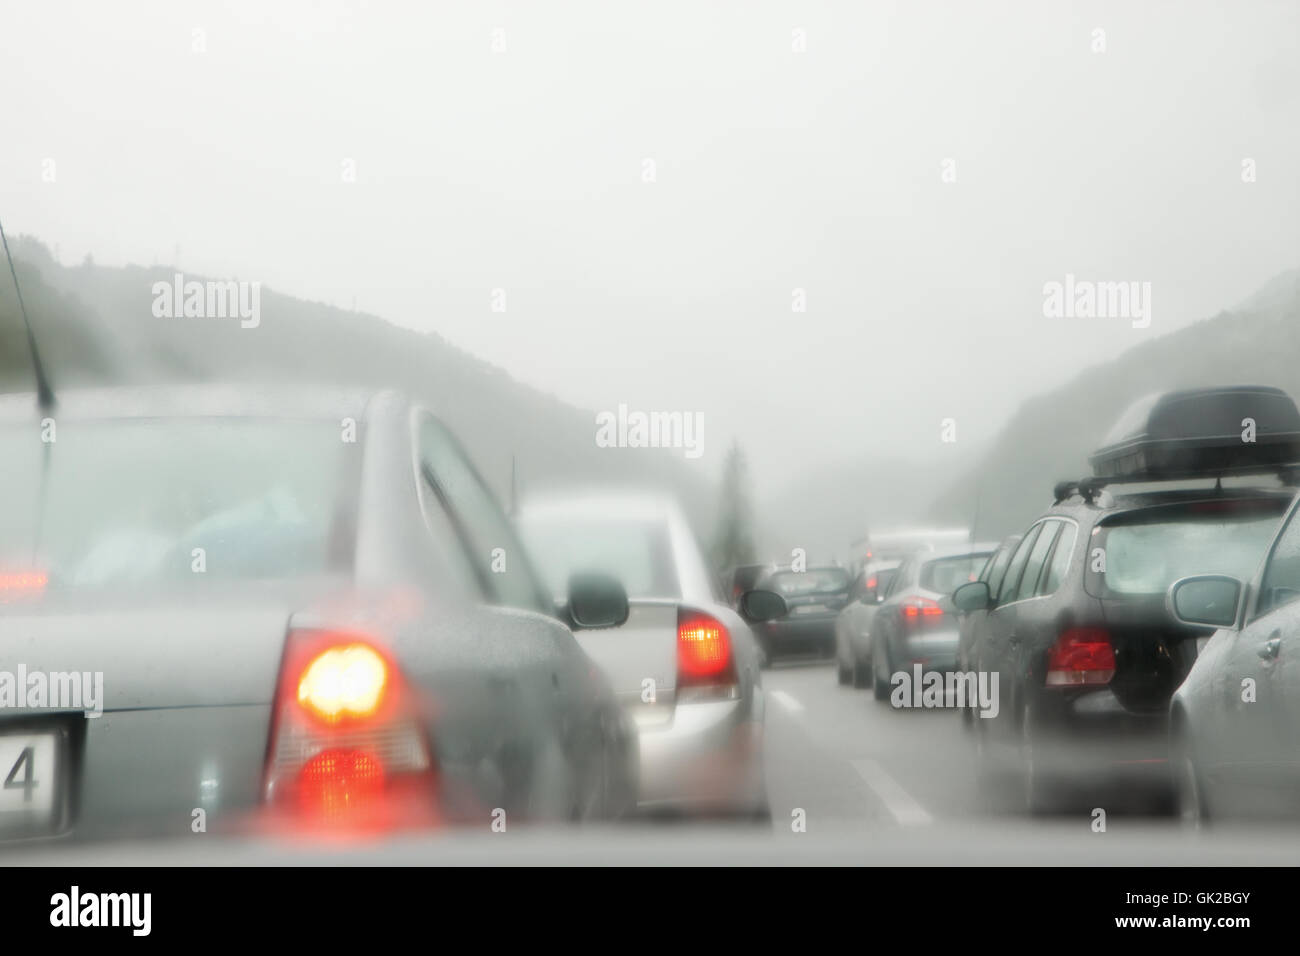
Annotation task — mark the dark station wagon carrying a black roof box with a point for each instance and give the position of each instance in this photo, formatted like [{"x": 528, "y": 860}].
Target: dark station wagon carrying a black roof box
[{"x": 1077, "y": 631}]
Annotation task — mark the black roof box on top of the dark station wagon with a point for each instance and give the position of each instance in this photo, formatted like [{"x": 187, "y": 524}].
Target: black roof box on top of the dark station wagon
[{"x": 1201, "y": 434}]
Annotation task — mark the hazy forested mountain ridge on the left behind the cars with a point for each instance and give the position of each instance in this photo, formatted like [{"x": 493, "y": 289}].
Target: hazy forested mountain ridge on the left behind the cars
[{"x": 96, "y": 326}]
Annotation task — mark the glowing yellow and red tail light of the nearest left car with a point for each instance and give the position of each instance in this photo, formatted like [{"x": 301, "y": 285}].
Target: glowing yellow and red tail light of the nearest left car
[{"x": 348, "y": 745}]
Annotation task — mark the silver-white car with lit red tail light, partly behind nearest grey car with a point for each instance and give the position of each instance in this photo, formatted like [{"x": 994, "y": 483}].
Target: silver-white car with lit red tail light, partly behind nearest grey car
[{"x": 686, "y": 667}]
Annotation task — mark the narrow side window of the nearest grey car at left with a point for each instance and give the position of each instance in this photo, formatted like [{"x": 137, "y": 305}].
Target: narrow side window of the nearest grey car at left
[{"x": 497, "y": 556}]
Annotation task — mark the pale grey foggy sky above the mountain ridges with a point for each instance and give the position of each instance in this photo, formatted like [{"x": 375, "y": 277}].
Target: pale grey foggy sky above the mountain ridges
[{"x": 774, "y": 171}]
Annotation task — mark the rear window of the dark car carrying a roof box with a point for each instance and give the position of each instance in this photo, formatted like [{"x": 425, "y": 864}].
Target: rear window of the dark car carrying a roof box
[{"x": 1147, "y": 551}]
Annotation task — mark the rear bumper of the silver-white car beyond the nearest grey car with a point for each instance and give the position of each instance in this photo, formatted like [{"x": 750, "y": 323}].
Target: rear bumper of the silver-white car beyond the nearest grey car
[{"x": 709, "y": 755}]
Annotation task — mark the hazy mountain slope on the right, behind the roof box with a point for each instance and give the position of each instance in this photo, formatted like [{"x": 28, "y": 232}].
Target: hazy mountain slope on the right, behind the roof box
[{"x": 1054, "y": 434}]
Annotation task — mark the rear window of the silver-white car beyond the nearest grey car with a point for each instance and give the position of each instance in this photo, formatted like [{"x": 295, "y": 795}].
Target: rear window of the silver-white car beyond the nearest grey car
[{"x": 636, "y": 552}]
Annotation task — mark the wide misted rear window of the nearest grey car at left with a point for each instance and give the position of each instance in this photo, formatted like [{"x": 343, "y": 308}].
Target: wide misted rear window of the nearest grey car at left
[{"x": 137, "y": 504}]
